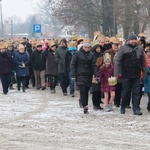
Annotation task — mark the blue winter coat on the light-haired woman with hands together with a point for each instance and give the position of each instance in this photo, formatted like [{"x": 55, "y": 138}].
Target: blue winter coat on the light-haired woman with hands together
[{"x": 19, "y": 58}]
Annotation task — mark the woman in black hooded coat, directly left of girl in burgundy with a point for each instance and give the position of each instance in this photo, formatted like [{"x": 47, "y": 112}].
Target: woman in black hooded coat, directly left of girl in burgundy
[{"x": 96, "y": 85}]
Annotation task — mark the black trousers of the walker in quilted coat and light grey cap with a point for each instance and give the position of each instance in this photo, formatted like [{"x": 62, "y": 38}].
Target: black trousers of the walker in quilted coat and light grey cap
[{"x": 84, "y": 91}]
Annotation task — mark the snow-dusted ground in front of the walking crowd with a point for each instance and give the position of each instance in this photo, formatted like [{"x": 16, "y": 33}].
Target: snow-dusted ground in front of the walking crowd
[{"x": 39, "y": 120}]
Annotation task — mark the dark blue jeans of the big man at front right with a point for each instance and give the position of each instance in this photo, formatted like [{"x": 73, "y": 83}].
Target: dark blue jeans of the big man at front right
[{"x": 129, "y": 84}]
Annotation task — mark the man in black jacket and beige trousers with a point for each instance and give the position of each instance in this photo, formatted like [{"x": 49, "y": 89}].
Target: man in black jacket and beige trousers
[{"x": 38, "y": 65}]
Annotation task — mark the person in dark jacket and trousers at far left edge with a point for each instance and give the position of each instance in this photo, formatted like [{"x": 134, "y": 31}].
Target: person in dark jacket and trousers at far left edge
[{"x": 6, "y": 67}]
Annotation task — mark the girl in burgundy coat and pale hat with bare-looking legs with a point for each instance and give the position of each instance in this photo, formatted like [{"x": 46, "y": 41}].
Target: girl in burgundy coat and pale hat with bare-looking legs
[{"x": 105, "y": 72}]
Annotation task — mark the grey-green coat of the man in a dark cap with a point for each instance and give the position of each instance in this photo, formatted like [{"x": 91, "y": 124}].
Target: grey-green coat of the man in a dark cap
[{"x": 60, "y": 59}]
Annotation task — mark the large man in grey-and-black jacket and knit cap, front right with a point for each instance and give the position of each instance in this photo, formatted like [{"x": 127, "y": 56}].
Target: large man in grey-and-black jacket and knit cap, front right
[{"x": 130, "y": 58}]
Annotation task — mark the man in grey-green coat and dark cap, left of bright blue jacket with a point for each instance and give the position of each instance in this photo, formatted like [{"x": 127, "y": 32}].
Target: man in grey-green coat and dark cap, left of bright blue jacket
[{"x": 60, "y": 59}]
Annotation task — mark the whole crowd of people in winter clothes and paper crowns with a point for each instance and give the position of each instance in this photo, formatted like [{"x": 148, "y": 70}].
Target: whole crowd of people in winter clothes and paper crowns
[{"x": 112, "y": 69}]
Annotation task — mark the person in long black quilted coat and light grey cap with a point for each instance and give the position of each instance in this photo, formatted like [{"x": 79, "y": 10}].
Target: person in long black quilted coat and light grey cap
[{"x": 82, "y": 69}]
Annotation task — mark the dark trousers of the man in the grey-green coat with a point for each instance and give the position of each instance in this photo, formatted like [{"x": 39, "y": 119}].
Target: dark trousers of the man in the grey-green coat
[{"x": 63, "y": 82}]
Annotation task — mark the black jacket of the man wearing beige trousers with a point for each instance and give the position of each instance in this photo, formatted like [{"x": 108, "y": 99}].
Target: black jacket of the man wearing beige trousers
[{"x": 37, "y": 61}]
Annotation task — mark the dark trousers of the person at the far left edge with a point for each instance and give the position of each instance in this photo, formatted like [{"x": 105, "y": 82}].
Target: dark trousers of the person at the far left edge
[{"x": 5, "y": 79}]
